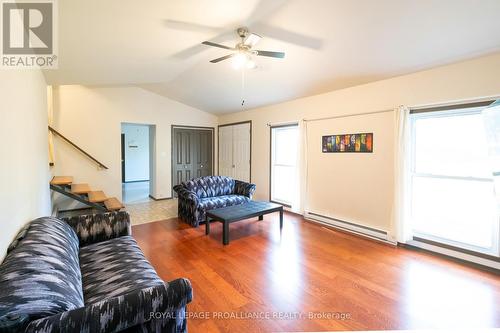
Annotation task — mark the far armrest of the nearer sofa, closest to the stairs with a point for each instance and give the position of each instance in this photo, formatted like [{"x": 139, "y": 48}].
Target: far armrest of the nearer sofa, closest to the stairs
[{"x": 94, "y": 228}]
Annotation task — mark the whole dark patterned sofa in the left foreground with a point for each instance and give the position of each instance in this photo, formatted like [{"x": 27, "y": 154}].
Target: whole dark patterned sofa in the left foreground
[{"x": 86, "y": 274}]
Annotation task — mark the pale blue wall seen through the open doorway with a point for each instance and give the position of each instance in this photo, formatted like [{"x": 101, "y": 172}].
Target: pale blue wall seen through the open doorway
[{"x": 136, "y": 152}]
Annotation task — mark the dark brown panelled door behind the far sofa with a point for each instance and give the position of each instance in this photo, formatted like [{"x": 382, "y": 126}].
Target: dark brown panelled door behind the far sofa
[{"x": 191, "y": 154}]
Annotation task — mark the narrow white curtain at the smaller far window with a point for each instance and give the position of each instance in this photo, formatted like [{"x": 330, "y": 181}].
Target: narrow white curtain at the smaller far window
[{"x": 301, "y": 169}]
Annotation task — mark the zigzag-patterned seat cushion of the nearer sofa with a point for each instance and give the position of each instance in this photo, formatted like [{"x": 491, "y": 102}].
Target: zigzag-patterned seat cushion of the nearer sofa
[{"x": 114, "y": 267}]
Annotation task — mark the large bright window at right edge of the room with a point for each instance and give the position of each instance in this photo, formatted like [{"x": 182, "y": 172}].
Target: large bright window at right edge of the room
[{"x": 451, "y": 187}]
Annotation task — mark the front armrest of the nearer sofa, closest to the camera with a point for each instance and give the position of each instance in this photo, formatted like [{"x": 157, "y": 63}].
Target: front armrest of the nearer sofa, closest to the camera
[{"x": 118, "y": 313}]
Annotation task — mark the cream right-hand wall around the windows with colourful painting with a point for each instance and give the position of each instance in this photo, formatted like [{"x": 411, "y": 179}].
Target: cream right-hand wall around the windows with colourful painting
[{"x": 358, "y": 187}]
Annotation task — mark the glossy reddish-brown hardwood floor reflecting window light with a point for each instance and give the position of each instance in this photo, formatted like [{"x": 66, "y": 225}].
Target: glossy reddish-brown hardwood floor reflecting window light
[{"x": 308, "y": 270}]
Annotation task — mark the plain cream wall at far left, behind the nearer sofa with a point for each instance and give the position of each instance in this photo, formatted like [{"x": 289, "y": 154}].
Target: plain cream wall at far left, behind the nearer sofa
[{"x": 24, "y": 167}]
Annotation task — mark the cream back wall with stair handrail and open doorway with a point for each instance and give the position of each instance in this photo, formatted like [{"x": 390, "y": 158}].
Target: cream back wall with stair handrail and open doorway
[{"x": 92, "y": 117}]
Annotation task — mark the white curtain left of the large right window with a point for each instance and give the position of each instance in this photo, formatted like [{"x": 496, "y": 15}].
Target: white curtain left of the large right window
[{"x": 401, "y": 229}]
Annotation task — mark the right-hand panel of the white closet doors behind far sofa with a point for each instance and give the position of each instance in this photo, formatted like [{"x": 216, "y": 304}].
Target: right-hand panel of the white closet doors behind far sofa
[{"x": 241, "y": 152}]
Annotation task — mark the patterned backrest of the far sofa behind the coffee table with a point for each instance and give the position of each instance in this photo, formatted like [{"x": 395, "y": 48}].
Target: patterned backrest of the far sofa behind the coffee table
[{"x": 210, "y": 186}]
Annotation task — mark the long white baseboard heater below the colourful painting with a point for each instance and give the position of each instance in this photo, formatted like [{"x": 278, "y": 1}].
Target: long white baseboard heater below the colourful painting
[{"x": 351, "y": 227}]
